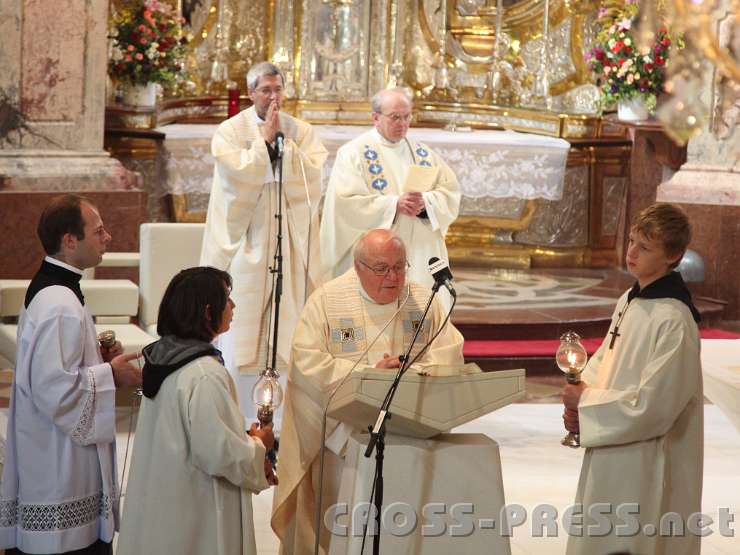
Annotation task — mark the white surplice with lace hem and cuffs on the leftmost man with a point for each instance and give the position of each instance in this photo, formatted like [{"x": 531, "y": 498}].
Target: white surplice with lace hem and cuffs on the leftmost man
[{"x": 59, "y": 490}]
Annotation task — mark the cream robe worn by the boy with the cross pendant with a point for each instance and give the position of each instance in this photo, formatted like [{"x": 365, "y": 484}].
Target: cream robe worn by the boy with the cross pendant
[{"x": 641, "y": 422}]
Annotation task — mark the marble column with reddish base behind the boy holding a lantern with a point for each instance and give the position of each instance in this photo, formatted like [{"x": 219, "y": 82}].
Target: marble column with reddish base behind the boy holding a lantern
[{"x": 707, "y": 186}]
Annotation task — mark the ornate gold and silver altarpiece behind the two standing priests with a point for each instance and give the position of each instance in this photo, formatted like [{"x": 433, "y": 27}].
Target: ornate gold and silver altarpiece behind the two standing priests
[{"x": 337, "y": 53}]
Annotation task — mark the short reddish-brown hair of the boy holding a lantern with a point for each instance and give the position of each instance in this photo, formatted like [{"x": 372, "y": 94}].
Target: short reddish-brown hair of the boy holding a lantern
[{"x": 667, "y": 224}]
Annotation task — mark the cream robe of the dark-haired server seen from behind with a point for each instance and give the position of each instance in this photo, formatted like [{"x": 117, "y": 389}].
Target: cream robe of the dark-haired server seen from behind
[{"x": 193, "y": 469}]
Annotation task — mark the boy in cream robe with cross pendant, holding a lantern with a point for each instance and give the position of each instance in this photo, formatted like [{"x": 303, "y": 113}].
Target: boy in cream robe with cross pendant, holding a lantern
[{"x": 640, "y": 407}]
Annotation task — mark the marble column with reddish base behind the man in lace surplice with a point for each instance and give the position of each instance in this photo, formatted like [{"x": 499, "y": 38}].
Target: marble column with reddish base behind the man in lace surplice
[{"x": 52, "y": 103}]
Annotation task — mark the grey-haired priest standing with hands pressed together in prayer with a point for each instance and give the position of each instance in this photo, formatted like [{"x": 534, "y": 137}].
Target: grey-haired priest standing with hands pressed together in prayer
[{"x": 240, "y": 234}]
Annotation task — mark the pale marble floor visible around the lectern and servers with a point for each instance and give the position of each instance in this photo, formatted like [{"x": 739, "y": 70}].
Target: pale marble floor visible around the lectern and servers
[{"x": 537, "y": 469}]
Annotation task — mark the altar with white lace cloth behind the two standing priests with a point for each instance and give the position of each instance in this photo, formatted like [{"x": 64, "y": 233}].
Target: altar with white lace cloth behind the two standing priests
[{"x": 502, "y": 175}]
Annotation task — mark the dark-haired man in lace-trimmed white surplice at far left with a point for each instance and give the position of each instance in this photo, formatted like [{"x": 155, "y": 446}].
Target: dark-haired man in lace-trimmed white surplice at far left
[{"x": 59, "y": 491}]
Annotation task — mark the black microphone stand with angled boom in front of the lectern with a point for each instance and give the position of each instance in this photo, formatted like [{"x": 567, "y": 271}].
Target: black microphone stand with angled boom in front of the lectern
[{"x": 377, "y": 432}]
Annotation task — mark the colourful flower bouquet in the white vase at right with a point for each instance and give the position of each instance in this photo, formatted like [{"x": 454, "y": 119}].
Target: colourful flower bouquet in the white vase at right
[{"x": 622, "y": 70}]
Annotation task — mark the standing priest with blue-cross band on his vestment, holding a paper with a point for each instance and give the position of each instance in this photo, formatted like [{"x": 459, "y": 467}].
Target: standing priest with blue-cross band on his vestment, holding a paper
[{"x": 366, "y": 191}]
